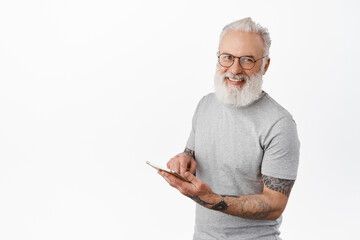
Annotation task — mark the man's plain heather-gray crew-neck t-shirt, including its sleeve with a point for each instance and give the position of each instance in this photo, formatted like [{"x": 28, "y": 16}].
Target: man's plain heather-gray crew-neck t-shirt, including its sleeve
[{"x": 233, "y": 148}]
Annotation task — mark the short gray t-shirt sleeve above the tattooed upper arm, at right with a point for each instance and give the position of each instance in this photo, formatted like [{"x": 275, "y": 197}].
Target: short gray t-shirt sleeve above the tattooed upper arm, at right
[{"x": 281, "y": 150}]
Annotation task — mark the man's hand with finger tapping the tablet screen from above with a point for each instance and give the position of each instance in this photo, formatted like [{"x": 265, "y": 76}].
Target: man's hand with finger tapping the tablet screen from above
[{"x": 183, "y": 162}]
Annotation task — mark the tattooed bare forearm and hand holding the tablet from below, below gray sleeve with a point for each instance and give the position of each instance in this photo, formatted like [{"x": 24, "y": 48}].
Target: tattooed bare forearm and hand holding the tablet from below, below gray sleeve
[{"x": 268, "y": 205}]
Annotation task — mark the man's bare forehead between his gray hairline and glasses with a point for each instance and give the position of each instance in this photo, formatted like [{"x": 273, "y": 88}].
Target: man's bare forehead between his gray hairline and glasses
[{"x": 238, "y": 42}]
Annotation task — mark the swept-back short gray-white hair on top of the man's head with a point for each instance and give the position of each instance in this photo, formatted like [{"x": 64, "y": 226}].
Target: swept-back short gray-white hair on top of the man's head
[{"x": 248, "y": 25}]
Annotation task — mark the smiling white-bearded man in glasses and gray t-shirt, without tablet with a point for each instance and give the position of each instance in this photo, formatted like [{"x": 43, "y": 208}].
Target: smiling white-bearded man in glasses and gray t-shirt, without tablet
[{"x": 243, "y": 145}]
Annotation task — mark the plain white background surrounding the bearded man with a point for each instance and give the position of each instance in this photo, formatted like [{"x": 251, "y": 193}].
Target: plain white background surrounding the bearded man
[{"x": 90, "y": 90}]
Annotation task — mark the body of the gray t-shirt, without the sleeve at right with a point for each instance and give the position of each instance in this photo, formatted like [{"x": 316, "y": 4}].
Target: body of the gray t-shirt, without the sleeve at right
[{"x": 229, "y": 146}]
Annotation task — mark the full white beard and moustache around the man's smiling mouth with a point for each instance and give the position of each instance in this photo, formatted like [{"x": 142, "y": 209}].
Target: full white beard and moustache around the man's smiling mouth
[{"x": 238, "y": 96}]
